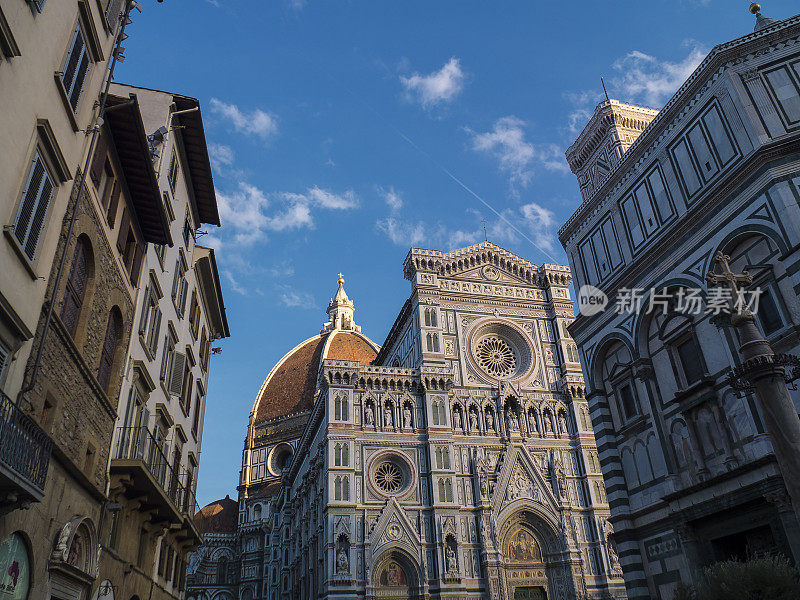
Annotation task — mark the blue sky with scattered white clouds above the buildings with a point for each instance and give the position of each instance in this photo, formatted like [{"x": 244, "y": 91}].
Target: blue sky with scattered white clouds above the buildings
[{"x": 344, "y": 132}]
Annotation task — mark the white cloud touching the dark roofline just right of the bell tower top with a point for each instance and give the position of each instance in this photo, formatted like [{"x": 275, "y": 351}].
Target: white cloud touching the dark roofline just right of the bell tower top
[{"x": 645, "y": 78}]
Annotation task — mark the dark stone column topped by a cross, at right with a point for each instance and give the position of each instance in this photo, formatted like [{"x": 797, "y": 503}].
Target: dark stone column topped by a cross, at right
[{"x": 763, "y": 372}]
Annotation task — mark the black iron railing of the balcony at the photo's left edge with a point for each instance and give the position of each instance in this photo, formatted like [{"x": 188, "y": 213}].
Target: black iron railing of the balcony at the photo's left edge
[{"x": 24, "y": 448}]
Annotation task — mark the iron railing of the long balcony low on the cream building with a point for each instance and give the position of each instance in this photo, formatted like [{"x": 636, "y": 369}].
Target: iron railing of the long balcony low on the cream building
[{"x": 139, "y": 443}]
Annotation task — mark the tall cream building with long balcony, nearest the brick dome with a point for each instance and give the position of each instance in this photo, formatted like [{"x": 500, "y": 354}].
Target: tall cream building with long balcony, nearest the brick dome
[{"x": 179, "y": 312}]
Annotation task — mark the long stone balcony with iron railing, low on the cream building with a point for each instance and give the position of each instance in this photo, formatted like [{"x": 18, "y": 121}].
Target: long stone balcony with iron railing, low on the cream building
[{"x": 141, "y": 470}]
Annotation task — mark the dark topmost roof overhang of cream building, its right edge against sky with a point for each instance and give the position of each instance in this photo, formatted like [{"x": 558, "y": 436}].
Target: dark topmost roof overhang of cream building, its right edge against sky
[{"x": 199, "y": 163}]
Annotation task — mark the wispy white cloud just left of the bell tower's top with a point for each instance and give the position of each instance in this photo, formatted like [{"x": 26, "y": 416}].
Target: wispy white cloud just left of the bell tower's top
[{"x": 517, "y": 156}]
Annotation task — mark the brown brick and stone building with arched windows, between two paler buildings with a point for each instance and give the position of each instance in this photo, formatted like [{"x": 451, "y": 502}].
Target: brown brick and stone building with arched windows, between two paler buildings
[{"x": 73, "y": 400}]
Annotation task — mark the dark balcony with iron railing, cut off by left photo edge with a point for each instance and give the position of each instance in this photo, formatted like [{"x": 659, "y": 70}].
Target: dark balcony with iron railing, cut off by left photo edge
[{"x": 24, "y": 457}]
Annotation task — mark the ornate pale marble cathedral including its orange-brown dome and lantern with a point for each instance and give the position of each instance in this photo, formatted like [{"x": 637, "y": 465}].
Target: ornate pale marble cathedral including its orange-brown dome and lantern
[{"x": 457, "y": 460}]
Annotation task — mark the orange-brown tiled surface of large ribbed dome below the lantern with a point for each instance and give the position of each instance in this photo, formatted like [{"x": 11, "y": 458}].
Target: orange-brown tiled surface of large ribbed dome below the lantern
[{"x": 290, "y": 387}]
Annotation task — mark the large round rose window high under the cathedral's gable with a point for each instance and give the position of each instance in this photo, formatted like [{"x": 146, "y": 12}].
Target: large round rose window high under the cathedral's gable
[{"x": 501, "y": 351}]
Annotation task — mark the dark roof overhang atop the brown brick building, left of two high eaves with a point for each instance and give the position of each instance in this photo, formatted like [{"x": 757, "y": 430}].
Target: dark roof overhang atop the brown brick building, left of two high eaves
[{"x": 124, "y": 121}]
